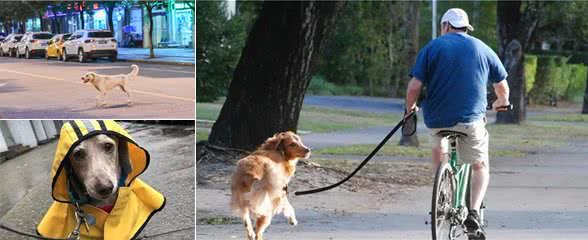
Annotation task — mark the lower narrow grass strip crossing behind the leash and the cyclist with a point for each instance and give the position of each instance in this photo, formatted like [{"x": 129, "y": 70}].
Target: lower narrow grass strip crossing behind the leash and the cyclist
[{"x": 401, "y": 151}]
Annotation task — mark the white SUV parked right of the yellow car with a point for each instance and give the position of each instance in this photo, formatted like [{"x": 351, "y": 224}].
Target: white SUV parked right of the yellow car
[{"x": 90, "y": 44}]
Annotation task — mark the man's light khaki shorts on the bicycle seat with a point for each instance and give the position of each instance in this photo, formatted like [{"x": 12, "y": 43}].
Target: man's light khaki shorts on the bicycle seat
[{"x": 471, "y": 149}]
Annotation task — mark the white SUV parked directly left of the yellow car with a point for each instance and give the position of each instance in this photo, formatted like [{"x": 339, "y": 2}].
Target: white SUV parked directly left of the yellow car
[{"x": 33, "y": 43}]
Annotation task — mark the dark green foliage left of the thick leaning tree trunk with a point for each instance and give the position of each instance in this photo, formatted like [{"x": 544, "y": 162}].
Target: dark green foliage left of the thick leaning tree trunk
[{"x": 220, "y": 41}]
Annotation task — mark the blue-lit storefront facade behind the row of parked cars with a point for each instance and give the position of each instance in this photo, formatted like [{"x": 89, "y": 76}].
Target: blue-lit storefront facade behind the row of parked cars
[{"x": 173, "y": 25}]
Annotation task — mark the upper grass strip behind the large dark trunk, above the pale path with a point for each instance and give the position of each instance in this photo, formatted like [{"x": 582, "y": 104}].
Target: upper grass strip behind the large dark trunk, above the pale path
[{"x": 318, "y": 119}]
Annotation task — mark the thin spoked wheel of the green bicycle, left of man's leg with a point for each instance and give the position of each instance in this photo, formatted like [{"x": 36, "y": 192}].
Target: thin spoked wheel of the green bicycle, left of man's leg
[{"x": 441, "y": 203}]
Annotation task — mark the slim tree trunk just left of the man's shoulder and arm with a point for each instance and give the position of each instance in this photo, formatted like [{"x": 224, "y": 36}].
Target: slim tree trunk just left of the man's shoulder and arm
[{"x": 413, "y": 37}]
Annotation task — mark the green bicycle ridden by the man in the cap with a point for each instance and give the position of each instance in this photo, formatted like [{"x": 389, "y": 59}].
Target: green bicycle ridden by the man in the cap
[{"x": 451, "y": 193}]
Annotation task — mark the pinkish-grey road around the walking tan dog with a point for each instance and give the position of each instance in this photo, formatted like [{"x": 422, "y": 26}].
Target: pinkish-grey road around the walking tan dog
[{"x": 36, "y": 88}]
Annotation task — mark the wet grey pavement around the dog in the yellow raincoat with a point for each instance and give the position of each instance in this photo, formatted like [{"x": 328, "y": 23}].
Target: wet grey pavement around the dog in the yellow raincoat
[{"x": 25, "y": 186}]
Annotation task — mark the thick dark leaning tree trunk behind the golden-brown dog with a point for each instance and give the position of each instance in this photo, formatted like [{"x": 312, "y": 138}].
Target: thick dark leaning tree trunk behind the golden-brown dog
[{"x": 281, "y": 53}]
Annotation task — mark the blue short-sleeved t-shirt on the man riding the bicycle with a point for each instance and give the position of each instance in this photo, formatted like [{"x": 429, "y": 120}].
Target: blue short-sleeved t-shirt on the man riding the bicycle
[{"x": 455, "y": 68}]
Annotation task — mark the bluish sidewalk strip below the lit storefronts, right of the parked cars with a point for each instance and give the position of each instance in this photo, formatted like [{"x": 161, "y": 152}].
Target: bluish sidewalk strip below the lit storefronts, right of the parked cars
[{"x": 174, "y": 56}]
